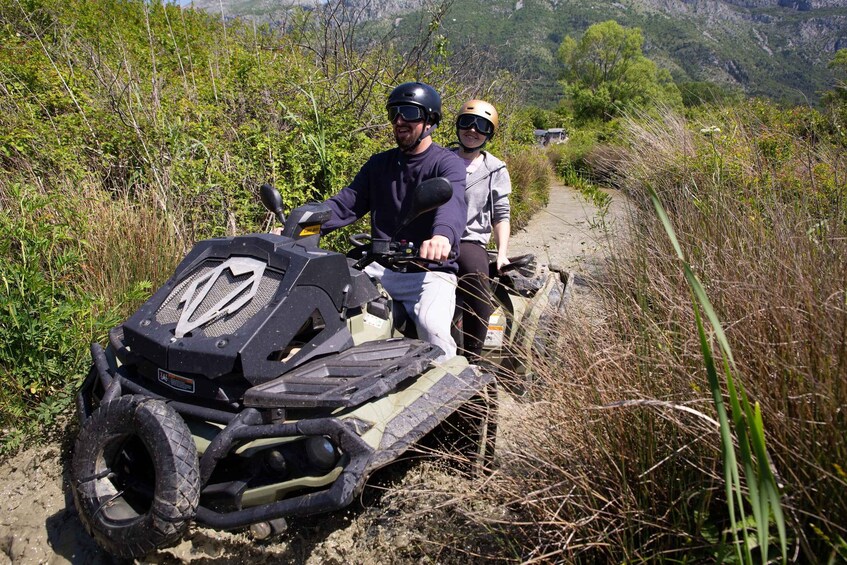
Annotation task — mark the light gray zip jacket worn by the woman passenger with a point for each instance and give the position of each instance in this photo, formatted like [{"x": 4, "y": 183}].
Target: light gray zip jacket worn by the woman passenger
[{"x": 487, "y": 195}]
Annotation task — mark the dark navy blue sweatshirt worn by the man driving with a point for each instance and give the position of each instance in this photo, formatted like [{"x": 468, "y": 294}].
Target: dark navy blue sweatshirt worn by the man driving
[{"x": 383, "y": 187}]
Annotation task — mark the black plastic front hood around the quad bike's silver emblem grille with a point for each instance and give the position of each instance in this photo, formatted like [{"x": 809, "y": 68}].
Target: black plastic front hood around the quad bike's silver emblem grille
[{"x": 313, "y": 280}]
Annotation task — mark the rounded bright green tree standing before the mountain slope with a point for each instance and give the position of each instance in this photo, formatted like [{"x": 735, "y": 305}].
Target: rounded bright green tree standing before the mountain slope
[{"x": 606, "y": 73}]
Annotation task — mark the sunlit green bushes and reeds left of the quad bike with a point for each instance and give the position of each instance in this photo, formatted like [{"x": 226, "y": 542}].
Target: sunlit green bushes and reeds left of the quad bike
[{"x": 131, "y": 129}]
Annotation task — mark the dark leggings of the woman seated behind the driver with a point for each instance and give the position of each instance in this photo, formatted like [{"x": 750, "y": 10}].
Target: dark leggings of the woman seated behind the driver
[{"x": 474, "y": 297}]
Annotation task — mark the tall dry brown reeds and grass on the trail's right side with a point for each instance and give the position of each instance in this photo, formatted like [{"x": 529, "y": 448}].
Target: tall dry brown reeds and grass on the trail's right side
[{"x": 604, "y": 465}]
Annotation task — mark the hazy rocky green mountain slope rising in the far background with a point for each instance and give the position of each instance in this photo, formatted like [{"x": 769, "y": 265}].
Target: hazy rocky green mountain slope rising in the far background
[{"x": 773, "y": 48}]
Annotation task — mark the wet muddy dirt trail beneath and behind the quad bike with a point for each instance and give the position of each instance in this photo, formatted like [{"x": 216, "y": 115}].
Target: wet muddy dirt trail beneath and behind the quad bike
[{"x": 38, "y": 522}]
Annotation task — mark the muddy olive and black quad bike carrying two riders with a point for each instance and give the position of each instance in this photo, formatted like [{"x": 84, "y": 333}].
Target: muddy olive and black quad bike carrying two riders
[{"x": 263, "y": 381}]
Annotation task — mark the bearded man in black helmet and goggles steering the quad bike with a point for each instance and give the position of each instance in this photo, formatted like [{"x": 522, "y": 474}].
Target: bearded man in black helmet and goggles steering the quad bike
[{"x": 382, "y": 188}]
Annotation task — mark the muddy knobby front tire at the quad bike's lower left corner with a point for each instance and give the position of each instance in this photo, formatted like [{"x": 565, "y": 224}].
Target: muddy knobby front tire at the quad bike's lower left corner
[{"x": 134, "y": 476}]
